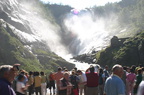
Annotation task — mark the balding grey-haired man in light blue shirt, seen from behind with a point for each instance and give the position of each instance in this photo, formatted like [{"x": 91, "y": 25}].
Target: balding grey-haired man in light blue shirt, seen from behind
[{"x": 114, "y": 84}]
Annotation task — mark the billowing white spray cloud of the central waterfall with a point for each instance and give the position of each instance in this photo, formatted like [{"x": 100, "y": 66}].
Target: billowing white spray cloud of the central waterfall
[{"x": 89, "y": 33}]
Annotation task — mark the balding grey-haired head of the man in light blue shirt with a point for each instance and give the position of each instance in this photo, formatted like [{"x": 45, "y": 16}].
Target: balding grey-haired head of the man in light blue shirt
[{"x": 118, "y": 70}]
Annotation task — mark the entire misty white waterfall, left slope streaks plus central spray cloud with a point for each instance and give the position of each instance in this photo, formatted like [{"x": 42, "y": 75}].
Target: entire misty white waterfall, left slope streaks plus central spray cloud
[{"x": 86, "y": 30}]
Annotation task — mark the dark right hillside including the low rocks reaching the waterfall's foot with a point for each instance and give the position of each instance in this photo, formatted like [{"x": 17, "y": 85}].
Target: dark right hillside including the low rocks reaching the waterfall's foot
[{"x": 127, "y": 52}]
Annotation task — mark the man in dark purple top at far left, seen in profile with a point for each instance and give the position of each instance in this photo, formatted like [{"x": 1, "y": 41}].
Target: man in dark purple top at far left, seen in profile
[{"x": 7, "y": 75}]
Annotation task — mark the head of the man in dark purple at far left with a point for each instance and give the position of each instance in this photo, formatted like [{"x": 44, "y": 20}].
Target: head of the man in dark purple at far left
[{"x": 8, "y": 72}]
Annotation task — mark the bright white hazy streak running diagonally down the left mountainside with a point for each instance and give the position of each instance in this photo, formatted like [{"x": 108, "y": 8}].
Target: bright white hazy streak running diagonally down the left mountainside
[{"x": 31, "y": 26}]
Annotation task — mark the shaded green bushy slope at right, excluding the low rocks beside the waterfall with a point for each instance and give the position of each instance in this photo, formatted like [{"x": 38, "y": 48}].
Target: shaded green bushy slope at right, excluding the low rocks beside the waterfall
[{"x": 129, "y": 53}]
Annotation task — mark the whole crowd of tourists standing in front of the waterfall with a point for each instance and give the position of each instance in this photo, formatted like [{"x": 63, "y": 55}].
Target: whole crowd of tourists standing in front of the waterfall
[{"x": 119, "y": 80}]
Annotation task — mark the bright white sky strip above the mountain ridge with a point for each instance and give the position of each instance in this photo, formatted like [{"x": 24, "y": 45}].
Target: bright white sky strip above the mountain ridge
[{"x": 80, "y": 4}]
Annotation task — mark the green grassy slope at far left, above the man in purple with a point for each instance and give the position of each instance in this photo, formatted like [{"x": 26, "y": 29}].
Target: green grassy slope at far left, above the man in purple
[{"x": 12, "y": 51}]
